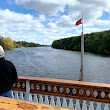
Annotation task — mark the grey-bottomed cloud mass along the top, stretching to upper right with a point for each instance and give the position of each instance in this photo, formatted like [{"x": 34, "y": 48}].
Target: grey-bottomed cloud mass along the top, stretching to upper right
[{"x": 92, "y": 10}]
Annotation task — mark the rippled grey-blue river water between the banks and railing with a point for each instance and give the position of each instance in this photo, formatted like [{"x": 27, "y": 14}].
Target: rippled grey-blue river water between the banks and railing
[{"x": 57, "y": 63}]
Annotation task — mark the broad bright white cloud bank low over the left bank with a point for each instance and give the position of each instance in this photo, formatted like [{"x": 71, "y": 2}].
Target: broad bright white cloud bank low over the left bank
[{"x": 25, "y": 27}]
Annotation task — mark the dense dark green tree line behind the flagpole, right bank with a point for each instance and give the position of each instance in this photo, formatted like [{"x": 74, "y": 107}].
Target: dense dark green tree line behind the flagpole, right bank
[{"x": 98, "y": 43}]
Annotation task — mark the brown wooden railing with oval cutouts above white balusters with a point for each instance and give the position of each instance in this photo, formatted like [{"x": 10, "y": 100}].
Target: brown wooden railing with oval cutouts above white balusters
[{"x": 65, "y": 93}]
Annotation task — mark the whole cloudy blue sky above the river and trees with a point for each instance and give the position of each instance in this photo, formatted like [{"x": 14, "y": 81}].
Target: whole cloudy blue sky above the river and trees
[{"x": 43, "y": 21}]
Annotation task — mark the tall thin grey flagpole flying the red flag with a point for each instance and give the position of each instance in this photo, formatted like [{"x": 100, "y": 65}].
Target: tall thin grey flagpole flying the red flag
[{"x": 82, "y": 52}]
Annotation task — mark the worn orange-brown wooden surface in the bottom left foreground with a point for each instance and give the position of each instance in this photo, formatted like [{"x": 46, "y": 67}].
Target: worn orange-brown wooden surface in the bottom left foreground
[{"x": 13, "y": 104}]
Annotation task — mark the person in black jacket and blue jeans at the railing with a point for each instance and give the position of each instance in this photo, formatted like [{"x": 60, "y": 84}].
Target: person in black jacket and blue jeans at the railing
[{"x": 8, "y": 75}]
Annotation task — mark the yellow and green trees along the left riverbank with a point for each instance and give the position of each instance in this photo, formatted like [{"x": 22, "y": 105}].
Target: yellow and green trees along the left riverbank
[{"x": 9, "y": 43}]
